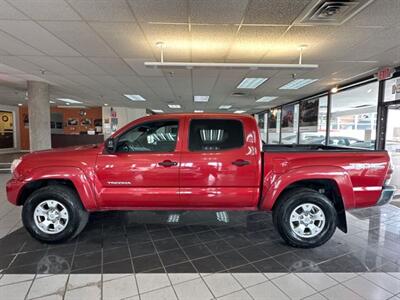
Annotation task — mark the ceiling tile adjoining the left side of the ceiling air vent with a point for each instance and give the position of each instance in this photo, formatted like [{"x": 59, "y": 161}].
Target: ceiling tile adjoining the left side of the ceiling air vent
[{"x": 274, "y": 11}]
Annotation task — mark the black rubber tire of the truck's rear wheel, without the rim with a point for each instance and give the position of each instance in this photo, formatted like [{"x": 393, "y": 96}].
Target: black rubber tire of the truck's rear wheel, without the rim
[{"x": 287, "y": 204}]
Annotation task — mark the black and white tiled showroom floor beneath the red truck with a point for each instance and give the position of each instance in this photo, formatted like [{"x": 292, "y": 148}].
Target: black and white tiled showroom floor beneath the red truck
[{"x": 148, "y": 255}]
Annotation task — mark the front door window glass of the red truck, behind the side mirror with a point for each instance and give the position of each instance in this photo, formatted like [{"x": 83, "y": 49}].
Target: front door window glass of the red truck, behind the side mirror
[{"x": 159, "y": 136}]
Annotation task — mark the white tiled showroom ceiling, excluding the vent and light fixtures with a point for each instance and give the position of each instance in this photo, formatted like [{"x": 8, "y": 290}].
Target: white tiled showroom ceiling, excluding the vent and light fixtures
[{"x": 94, "y": 50}]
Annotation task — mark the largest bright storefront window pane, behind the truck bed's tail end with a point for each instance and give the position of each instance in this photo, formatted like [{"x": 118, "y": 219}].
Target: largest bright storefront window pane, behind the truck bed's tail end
[{"x": 353, "y": 117}]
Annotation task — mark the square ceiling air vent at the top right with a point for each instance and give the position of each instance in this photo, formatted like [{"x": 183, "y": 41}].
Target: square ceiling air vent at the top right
[{"x": 334, "y": 12}]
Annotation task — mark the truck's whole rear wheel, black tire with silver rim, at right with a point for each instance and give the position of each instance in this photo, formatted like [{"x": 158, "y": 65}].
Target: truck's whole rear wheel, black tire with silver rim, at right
[{"x": 305, "y": 218}]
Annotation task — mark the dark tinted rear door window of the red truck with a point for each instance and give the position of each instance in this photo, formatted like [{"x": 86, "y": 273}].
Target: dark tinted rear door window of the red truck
[{"x": 215, "y": 135}]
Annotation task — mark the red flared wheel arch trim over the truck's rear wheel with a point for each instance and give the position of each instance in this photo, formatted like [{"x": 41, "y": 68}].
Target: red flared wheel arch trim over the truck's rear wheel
[{"x": 275, "y": 184}]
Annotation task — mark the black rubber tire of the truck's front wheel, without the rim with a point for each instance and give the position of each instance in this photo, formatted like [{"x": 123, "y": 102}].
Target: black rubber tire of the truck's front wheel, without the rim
[{"x": 77, "y": 215}]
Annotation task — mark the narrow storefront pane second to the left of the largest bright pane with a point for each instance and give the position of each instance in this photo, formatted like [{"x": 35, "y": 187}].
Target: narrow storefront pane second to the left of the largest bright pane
[{"x": 289, "y": 123}]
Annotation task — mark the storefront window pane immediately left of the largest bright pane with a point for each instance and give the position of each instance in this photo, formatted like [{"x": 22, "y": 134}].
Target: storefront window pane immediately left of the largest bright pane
[{"x": 313, "y": 114}]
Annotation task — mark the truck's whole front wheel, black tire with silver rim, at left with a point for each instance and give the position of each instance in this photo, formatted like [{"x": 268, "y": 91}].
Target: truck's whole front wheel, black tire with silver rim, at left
[{"x": 54, "y": 214}]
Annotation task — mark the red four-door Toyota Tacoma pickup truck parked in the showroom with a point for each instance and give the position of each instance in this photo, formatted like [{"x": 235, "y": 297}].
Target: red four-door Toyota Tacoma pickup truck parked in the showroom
[{"x": 198, "y": 162}]
